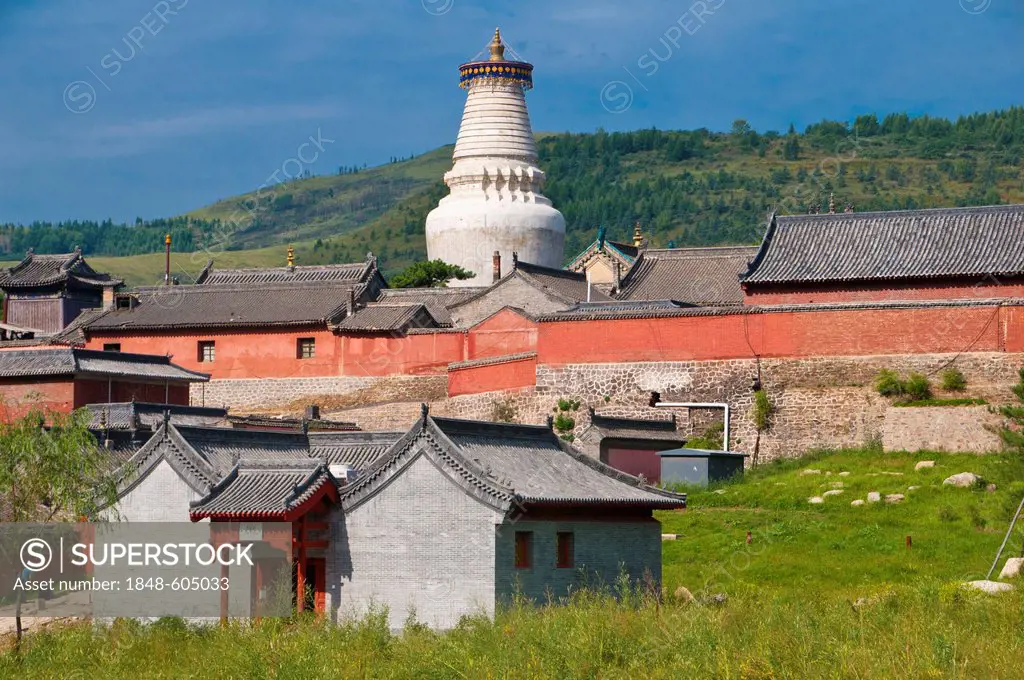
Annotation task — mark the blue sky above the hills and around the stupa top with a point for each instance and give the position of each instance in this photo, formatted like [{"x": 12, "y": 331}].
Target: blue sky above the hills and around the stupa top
[{"x": 145, "y": 108}]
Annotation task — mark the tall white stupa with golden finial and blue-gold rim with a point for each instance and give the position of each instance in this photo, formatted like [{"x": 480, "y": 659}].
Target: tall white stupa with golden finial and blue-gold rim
[{"x": 496, "y": 201}]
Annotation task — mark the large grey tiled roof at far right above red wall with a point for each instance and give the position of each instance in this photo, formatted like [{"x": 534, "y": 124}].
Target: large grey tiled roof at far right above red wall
[{"x": 886, "y": 246}]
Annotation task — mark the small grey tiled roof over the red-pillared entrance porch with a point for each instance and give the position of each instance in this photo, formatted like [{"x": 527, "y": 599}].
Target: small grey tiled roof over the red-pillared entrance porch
[{"x": 265, "y": 489}]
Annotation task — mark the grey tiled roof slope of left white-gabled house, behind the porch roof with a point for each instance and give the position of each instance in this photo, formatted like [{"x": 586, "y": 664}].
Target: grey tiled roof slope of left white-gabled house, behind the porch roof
[{"x": 225, "y": 447}]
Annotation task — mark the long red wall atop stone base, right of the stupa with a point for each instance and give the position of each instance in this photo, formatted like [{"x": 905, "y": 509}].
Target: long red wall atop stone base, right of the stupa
[{"x": 784, "y": 334}]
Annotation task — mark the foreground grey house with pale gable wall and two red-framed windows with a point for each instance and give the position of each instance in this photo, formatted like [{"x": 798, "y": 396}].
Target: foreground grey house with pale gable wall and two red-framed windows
[{"x": 460, "y": 516}]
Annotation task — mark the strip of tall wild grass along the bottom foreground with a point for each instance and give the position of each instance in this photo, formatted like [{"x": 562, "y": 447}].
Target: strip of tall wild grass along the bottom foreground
[{"x": 929, "y": 631}]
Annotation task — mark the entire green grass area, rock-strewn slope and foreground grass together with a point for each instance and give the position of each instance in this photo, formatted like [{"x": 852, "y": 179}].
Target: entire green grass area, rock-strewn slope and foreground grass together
[{"x": 791, "y": 610}]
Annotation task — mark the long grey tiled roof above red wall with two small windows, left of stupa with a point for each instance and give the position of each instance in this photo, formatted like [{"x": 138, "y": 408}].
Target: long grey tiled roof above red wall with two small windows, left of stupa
[{"x": 230, "y": 306}]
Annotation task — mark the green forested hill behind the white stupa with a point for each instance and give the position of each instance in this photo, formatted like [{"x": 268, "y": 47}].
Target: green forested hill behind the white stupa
[{"x": 687, "y": 188}]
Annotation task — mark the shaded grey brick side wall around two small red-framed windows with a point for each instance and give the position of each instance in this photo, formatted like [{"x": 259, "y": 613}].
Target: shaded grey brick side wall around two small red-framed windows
[{"x": 603, "y": 549}]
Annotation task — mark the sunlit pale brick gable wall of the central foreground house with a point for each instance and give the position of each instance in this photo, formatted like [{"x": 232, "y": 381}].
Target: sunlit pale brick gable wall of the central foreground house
[{"x": 421, "y": 545}]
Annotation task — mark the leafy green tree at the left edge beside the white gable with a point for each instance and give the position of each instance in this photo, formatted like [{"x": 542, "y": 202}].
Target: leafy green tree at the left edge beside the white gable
[{"x": 54, "y": 474}]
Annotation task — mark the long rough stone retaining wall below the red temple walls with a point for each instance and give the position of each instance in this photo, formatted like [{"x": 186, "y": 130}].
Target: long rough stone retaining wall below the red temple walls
[{"x": 828, "y": 402}]
